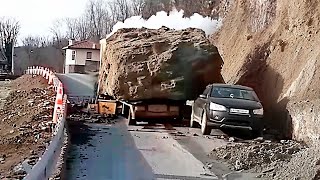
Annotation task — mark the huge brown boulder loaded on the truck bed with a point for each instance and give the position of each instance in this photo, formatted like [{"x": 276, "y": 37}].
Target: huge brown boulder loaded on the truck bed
[{"x": 152, "y": 64}]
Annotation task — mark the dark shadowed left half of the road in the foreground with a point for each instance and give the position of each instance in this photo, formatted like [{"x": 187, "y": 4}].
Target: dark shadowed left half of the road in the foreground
[{"x": 99, "y": 152}]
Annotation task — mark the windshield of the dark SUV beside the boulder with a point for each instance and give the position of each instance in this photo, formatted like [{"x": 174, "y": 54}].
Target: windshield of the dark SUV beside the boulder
[{"x": 235, "y": 93}]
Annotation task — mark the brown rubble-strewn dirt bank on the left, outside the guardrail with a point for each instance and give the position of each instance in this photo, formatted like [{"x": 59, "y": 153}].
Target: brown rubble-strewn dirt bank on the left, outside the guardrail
[{"x": 25, "y": 124}]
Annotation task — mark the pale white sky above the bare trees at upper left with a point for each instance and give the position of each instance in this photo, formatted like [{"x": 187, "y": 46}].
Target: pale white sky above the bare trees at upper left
[{"x": 36, "y": 16}]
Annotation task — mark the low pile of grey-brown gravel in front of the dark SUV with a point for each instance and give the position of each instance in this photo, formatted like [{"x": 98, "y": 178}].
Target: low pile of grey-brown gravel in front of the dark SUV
[{"x": 257, "y": 156}]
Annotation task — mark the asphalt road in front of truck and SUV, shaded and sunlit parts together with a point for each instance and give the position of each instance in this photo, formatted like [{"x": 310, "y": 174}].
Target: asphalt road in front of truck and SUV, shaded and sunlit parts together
[{"x": 143, "y": 152}]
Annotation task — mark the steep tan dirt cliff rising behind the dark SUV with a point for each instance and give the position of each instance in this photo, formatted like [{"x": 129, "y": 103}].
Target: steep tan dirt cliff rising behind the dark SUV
[{"x": 272, "y": 46}]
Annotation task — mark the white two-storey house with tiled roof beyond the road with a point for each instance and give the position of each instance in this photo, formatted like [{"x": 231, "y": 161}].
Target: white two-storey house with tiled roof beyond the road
[{"x": 82, "y": 57}]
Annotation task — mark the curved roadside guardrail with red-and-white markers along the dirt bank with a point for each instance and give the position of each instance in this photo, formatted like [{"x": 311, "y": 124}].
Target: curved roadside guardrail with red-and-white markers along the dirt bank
[{"x": 45, "y": 167}]
